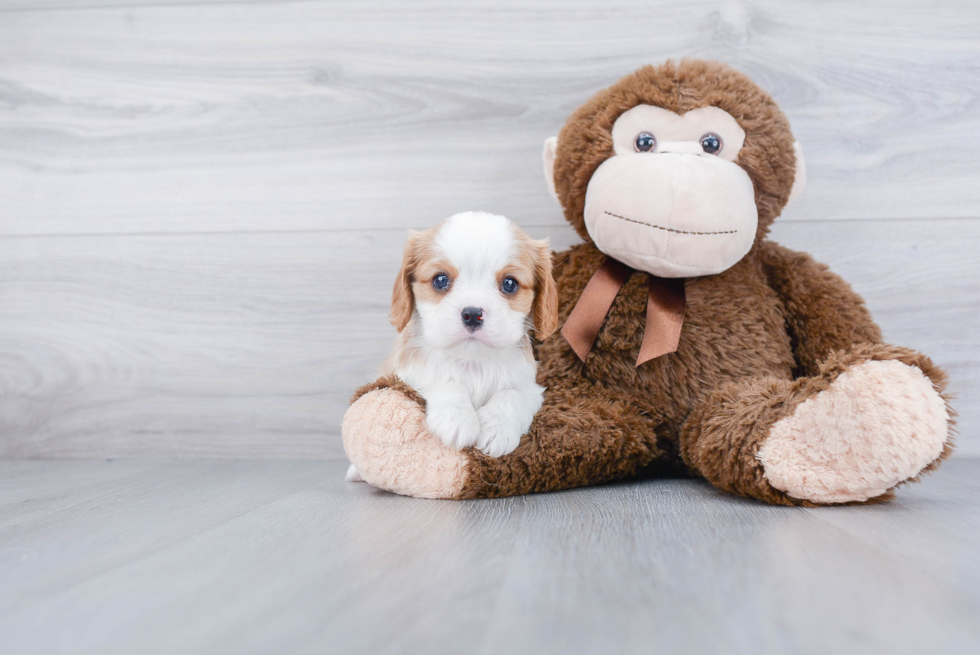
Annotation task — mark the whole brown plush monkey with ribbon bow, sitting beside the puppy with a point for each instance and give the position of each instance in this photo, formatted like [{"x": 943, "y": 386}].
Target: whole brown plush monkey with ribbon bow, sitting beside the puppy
[{"x": 688, "y": 339}]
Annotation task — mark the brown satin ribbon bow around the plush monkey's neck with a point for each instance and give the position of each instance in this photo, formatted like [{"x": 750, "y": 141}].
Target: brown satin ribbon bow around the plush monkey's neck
[{"x": 665, "y": 312}]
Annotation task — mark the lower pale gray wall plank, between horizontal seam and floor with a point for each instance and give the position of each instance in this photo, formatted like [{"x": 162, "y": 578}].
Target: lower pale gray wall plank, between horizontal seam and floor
[{"x": 250, "y": 345}]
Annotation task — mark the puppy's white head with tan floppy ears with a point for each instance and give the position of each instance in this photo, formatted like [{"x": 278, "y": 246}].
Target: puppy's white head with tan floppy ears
[{"x": 475, "y": 278}]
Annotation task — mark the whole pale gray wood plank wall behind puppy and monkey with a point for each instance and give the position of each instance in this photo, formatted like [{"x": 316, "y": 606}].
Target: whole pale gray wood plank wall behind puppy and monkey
[{"x": 202, "y": 204}]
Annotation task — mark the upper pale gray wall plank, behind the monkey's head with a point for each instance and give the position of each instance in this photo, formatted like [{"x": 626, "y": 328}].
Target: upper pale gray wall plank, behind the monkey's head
[{"x": 132, "y": 117}]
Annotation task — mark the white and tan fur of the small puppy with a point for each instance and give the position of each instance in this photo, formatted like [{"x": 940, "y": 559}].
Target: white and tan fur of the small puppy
[{"x": 478, "y": 382}]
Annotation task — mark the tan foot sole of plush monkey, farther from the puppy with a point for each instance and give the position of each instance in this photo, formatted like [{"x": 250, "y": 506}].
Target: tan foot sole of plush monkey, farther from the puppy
[{"x": 877, "y": 425}]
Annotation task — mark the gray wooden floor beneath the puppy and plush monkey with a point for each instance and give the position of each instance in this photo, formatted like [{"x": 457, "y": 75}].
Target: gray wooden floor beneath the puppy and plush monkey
[{"x": 165, "y": 556}]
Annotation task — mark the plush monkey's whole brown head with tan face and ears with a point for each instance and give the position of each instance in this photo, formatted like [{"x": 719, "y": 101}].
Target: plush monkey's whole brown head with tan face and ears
[{"x": 676, "y": 170}]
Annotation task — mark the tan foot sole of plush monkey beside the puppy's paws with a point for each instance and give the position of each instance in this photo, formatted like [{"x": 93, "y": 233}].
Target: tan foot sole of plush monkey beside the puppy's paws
[{"x": 386, "y": 440}]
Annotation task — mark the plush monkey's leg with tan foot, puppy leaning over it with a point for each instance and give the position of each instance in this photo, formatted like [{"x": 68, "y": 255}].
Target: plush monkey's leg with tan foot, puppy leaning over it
[{"x": 581, "y": 436}]
